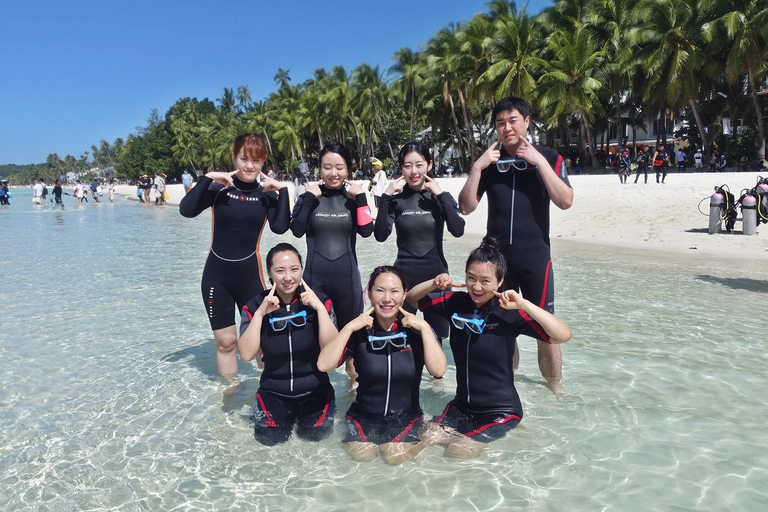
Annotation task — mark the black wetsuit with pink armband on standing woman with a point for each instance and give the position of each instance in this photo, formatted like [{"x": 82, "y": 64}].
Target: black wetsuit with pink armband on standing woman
[{"x": 331, "y": 223}]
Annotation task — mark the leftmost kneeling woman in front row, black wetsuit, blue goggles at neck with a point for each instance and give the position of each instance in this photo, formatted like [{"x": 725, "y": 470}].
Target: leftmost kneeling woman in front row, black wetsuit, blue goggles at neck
[{"x": 289, "y": 324}]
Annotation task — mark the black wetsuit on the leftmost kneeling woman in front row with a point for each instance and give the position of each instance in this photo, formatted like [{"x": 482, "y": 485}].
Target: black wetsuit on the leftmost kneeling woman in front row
[{"x": 292, "y": 390}]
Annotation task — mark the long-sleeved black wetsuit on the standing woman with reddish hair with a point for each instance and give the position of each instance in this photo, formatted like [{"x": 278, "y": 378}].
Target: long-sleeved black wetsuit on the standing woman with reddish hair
[{"x": 232, "y": 273}]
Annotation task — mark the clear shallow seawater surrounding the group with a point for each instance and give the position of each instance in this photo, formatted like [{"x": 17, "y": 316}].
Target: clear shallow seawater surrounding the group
[{"x": 110, "y": 399}]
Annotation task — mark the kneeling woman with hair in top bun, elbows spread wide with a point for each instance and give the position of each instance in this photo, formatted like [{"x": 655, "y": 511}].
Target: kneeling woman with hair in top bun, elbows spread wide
[{"x": 485, "y": 324}]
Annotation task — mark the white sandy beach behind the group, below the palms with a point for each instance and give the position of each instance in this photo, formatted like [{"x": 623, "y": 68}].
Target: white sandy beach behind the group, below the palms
[{"x": 655, "y": 217}]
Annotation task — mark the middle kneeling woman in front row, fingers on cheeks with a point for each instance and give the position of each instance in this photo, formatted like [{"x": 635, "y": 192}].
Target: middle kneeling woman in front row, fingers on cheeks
[{"x": 391, "y": 348}]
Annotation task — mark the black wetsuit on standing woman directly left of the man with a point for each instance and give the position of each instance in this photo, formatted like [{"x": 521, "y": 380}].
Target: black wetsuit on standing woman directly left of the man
[{"x": 420, "y": 217}]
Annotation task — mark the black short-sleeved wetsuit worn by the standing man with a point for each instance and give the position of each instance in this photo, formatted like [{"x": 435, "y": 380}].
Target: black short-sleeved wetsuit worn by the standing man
[{"x": 518, "y": 216}]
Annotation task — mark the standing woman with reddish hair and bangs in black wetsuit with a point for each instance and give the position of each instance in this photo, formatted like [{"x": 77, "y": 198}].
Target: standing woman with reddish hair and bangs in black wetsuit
[{"x": 240, "y": 208}]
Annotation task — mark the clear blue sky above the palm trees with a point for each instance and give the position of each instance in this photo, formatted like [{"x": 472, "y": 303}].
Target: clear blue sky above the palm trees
[{"x": 74, "y": 73}]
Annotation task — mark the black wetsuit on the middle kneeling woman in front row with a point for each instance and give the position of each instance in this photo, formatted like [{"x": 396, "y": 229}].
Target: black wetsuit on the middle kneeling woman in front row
[{"x": 386, "y": 408}]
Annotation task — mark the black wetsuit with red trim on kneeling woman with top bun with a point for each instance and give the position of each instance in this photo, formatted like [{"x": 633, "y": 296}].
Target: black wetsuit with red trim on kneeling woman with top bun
[{"x": 486, "y": 405}]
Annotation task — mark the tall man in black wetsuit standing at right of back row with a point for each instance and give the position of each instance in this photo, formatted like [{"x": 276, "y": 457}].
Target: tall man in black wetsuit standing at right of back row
[{"x": 519, "y": 193}]
